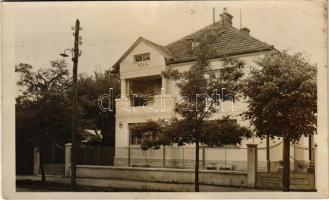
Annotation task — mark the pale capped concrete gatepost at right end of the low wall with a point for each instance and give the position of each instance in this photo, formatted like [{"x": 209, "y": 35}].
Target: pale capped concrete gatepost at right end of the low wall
[{"x": 252, "y": 164}]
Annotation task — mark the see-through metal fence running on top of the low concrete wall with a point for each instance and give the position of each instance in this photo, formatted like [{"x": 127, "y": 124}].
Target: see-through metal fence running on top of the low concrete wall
[{"x": 218, "y": 158}]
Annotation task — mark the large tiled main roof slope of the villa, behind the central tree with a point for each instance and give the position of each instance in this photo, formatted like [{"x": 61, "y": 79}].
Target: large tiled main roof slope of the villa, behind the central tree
[{"x": 230, "y": 41}]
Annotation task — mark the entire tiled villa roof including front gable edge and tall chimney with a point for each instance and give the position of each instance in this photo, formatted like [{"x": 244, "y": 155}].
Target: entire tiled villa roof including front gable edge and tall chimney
[{"x": 230, "y": 41}]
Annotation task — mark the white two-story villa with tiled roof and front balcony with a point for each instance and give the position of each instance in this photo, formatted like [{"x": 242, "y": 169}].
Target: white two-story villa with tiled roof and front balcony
[{"x": 140, "y": 70}]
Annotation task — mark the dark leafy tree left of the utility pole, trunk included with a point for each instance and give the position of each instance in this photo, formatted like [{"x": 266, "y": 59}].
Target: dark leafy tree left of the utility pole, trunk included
[{"x": 43, "y": 108}]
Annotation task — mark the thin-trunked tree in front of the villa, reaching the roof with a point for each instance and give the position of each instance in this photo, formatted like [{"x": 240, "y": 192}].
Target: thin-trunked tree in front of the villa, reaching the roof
[{"x": 194, "y": 109}]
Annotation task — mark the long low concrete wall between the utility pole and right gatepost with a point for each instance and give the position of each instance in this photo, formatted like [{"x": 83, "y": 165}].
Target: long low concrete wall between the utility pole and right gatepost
[{"x": 164, "y": 175}]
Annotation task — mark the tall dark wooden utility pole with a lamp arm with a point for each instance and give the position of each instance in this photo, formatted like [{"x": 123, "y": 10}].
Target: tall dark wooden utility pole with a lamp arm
[{"x": 75, "y": 60}]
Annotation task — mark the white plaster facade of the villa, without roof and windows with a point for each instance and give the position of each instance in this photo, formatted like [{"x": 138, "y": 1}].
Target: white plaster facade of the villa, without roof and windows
[{"x": 129, "y": 69}]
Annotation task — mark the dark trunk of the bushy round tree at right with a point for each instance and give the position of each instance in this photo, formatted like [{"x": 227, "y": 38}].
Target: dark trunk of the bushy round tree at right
[{"x": 286, "y": 165}]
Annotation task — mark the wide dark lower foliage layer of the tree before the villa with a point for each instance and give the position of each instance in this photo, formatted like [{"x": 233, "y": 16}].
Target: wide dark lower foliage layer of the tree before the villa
[{"x": 155, "y": 134}]
